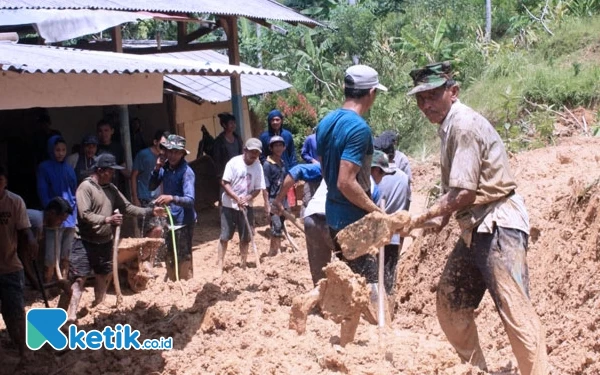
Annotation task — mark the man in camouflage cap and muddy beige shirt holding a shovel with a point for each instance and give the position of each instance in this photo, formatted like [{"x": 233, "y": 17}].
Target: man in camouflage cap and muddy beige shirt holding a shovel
[{"x": 492, "y": 251}]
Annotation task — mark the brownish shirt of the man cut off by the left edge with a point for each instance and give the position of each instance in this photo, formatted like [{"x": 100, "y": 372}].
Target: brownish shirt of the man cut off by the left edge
[{"x": 13, "y": 218}]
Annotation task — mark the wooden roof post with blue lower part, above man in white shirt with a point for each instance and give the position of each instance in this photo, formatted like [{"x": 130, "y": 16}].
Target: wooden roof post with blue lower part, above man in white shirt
[{"x": 233, "y": 51}]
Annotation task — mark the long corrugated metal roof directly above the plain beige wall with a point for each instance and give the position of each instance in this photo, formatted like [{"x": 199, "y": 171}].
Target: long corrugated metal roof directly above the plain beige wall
[{"x": 44, "y": 59}]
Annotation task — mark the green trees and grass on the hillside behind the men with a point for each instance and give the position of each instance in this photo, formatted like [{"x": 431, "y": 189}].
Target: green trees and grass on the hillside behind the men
[{"x": 519, "y": 80}]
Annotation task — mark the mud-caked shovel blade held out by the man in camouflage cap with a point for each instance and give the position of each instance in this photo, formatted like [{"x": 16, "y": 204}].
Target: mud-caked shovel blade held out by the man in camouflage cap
[{"x": 370, "y": 233}]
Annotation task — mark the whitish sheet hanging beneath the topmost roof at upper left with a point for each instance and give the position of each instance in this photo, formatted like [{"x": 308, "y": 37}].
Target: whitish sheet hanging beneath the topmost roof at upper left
[{"x": 59, "y": 25}]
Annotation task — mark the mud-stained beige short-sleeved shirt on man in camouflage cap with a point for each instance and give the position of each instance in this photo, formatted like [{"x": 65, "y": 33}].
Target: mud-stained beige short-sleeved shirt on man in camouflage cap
[{"x": 473, "y": 157}]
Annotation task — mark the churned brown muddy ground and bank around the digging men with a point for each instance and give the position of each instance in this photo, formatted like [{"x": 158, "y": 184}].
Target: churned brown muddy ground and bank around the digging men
[{"x": 238, "y": 324}]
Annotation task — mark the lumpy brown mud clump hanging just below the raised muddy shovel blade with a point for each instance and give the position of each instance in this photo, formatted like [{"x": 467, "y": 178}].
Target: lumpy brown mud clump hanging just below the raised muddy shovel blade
[{"x": 342, "y": 296}]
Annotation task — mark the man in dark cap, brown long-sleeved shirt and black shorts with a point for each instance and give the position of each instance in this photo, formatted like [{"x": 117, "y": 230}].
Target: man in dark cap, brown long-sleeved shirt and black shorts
[{"x": 97, "y": 199}]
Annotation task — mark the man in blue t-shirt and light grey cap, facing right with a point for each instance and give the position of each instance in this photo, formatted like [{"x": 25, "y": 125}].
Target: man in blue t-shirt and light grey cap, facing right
[{"x": 345, "y": 146}]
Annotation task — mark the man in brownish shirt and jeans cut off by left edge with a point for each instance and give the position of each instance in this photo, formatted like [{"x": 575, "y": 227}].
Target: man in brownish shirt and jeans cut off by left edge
[{"x": 15, "y": 230}]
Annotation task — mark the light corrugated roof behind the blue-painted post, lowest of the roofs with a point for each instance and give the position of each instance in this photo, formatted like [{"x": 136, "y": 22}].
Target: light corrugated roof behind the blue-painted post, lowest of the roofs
[{"x": 218, "y": 89}]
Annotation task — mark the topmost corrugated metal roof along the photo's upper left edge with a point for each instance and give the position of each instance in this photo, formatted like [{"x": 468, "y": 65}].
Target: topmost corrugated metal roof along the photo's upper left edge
[{"x": 262, "y": 9}]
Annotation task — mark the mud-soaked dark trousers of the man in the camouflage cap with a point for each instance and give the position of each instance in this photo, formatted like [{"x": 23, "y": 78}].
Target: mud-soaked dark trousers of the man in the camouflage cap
[{"x": 495, "y": 262}]
